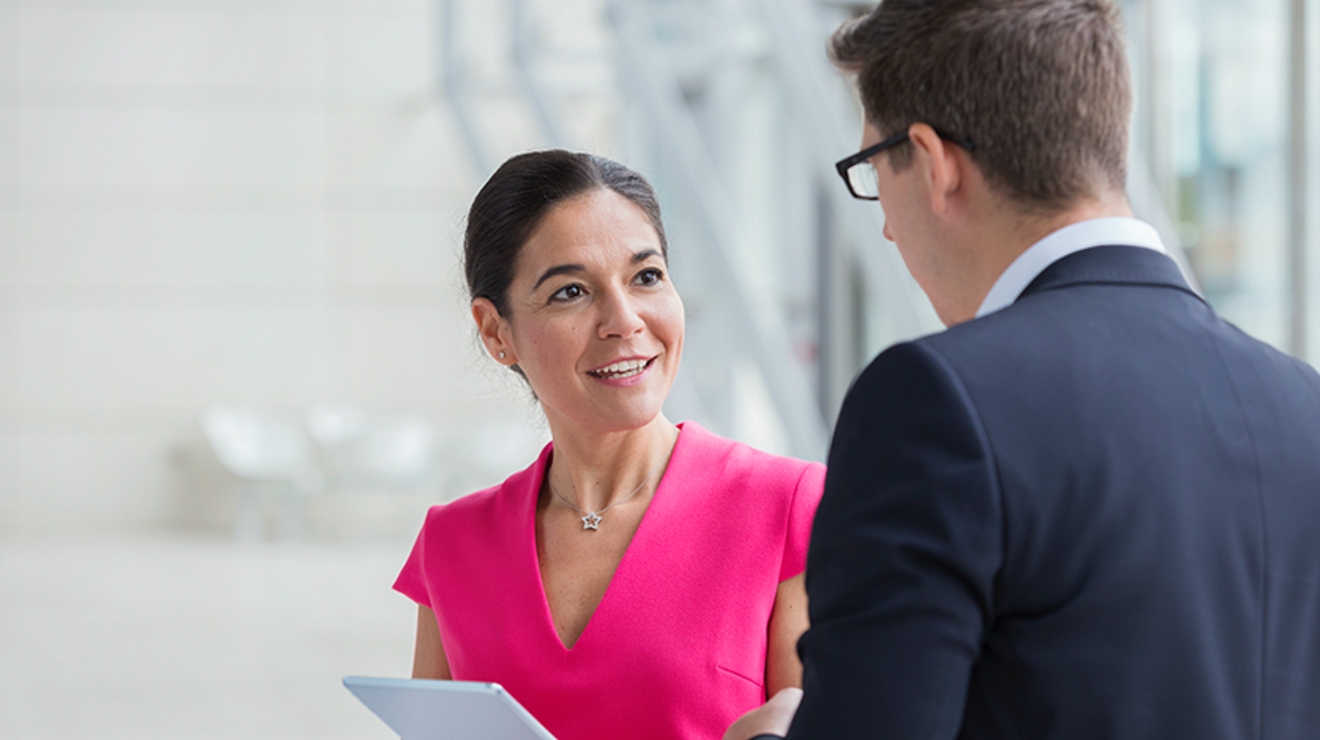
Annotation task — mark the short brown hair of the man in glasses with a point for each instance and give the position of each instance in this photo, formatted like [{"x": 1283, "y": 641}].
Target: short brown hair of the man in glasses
[{"x": 1041, "y": 88}]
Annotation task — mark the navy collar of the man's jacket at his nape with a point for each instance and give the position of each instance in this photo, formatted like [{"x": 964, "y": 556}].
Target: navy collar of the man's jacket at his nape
[{"x": 1111, "y": 266}]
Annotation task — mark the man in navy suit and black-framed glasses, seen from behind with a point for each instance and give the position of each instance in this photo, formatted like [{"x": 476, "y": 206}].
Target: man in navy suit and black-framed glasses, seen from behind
[{"x": 1091, "y": 509}]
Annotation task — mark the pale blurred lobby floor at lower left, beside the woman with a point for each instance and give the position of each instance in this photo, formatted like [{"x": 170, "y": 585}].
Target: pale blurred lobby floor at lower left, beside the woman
[{"x": 160, "y": 636}]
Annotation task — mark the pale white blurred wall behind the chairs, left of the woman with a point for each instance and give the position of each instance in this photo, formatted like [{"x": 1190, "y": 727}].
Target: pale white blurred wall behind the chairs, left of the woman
[{"x": 218, "y": 202}]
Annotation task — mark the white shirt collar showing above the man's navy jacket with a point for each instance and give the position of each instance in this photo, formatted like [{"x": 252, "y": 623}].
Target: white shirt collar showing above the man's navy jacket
[{"x": 1075, "y": 238}]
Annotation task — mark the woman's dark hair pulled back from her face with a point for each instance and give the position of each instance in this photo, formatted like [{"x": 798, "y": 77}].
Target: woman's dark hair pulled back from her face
[{"x": 521, "y": 193}]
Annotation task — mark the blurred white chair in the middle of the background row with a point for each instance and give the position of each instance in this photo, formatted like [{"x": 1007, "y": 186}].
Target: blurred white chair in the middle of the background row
[{"x": 370, "y": 450}]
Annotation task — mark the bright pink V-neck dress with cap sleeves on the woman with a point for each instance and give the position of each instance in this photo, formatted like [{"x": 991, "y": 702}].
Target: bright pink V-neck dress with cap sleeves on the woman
[{"x": 676, "y": 648}]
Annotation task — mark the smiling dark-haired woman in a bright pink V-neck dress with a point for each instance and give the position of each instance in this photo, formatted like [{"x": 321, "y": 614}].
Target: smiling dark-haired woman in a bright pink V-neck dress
[{"x": 640, "y": 580}]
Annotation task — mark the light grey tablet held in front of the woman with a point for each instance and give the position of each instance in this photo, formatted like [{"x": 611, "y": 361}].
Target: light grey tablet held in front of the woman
[{"x": 447, "y": 710}]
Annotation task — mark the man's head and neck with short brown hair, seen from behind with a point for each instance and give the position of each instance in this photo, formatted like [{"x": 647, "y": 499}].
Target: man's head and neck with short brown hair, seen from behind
[{"x": 1032, "y": 101}]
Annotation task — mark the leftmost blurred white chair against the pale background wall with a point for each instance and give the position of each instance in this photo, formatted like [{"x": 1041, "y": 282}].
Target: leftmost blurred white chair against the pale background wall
[{"x": 266, "y": 450}]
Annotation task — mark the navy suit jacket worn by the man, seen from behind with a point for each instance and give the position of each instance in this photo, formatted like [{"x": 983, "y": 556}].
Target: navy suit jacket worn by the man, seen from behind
[{"x": 1092, "y": 515}]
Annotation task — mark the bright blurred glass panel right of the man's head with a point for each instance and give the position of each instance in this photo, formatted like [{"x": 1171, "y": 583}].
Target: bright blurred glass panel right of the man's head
[{"x": 1214, "y": 125}]
